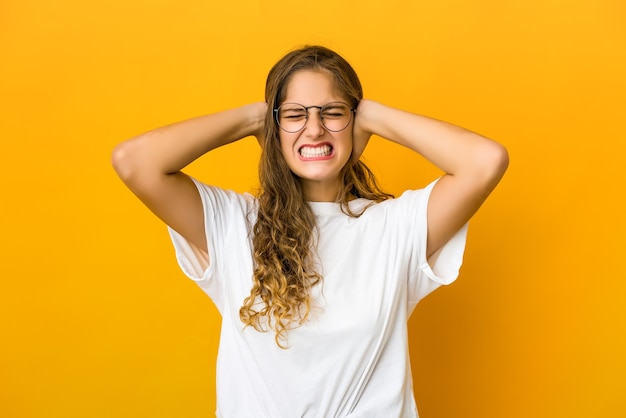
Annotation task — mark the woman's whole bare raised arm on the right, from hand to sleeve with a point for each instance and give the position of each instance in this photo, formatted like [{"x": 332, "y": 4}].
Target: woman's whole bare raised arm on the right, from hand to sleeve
[{"x": 473, "y": 165}]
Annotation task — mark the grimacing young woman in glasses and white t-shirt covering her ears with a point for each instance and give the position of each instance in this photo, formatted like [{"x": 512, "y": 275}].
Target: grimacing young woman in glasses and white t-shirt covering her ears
[{"x": 316, "y": 277}]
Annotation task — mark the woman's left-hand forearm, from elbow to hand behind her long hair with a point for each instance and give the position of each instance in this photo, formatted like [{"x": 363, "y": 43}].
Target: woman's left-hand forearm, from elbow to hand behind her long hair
[{"x": 170, "y": 148}]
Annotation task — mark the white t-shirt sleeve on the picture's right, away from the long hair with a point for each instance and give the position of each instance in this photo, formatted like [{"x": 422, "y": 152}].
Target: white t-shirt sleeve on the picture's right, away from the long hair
[{"x": 444, "y": 265}]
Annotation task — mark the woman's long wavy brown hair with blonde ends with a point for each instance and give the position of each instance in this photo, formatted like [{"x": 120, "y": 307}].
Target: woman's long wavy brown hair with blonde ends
[{"x": 285, "y": 234}]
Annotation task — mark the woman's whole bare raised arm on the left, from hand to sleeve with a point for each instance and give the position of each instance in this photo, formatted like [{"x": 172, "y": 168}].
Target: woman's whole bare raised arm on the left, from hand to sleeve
[{"x": 151, "y": 163}]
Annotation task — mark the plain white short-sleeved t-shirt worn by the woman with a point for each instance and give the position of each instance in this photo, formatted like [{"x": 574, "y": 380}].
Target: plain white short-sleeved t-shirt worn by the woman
[{"x": 350, "y": 359}]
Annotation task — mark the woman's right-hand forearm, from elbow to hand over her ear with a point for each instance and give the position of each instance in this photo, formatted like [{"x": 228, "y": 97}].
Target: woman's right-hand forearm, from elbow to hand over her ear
[{"x": 455, "y": 150}]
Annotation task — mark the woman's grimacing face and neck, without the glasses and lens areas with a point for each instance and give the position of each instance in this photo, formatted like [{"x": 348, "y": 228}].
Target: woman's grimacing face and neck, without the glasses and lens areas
[{"x": 315, "y": 154}]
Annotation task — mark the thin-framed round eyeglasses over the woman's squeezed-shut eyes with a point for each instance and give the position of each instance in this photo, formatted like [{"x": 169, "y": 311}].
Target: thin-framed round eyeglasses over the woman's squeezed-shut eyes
[{"x": 292, "y": 117}]
